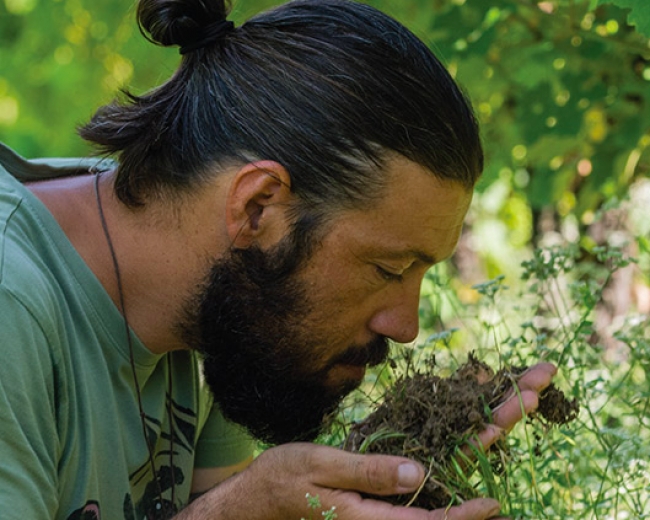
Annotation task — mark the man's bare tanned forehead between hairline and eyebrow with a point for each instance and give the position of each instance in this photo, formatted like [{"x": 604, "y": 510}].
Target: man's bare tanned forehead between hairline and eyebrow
[{"x": 419, "y": 216}]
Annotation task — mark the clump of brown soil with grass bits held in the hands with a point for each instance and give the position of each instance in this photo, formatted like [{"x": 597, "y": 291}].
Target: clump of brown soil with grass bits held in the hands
[{"x": 426, "y": 417}]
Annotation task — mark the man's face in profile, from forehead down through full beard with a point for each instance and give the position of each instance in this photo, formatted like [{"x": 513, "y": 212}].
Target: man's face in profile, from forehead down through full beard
[{"x": 287, "y": 333}]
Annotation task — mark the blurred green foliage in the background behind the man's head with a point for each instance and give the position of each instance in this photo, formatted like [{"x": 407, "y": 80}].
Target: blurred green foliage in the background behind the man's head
[{"x": 561, "y": 87}]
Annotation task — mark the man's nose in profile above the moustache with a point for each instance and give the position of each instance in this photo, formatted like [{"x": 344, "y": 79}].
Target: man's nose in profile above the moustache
[{"x": 398, "y": 319}]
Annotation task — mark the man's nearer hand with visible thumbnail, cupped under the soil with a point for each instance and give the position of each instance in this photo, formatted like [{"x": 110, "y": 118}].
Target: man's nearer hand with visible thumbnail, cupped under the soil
[{"x": 275, "y": 485}]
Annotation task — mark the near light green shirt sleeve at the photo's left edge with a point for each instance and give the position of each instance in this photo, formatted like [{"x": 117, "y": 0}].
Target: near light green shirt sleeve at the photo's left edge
[{"x": 28, "y": 433}]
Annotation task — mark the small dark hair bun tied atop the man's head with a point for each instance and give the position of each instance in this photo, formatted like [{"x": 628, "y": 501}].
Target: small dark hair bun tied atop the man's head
[{"x": 180, "y": 22}]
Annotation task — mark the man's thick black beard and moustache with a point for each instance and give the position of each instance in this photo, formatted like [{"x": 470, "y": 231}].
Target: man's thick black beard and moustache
[{"x": 248, "y": 323}]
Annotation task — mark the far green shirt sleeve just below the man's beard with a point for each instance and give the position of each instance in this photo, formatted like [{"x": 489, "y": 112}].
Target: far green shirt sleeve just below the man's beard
[{"x": 221, "y": 443}]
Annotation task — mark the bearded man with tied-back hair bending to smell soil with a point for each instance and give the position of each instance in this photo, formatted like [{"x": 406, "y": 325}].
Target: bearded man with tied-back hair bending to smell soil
[{"x": 274, "y": 207}]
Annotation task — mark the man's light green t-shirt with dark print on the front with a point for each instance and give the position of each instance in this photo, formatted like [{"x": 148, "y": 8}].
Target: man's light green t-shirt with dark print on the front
[{"x": 71, "y": 437}]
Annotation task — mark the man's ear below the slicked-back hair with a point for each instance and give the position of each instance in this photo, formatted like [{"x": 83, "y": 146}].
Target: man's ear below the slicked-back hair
[{"x": 257, "y": 203}]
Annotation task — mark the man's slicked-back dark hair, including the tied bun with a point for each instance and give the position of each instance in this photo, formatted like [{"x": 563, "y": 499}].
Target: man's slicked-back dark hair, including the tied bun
[{"x": 328, "y": 88}]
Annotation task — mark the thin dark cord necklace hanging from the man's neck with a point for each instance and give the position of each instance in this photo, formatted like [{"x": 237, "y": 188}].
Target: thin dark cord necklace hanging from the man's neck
[{"x": 127, "y": 328}]
